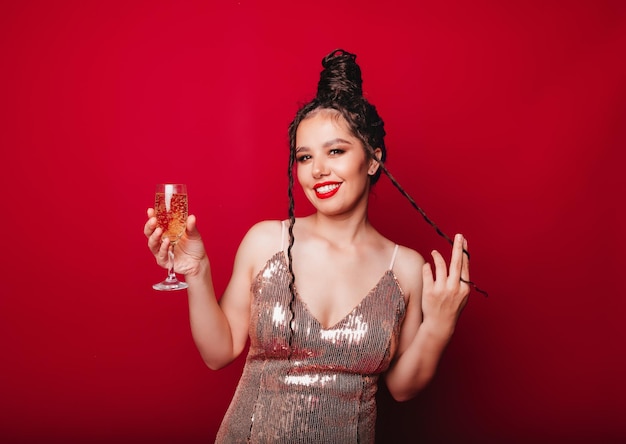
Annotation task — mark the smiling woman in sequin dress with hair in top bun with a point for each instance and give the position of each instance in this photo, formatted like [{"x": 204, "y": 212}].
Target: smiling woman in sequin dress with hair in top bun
[{"x": 328, "y": 303}]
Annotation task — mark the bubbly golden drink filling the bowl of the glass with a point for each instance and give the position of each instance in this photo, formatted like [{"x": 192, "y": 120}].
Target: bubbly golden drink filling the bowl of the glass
[{"x": 171, "y": 212}]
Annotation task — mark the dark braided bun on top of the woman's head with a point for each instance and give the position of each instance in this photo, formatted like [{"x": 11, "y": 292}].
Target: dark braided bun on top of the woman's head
[{"x": 340, "y": 80}]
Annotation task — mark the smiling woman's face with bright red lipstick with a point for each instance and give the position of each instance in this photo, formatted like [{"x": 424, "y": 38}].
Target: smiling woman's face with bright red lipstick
[{"x": 332, "y": 166}]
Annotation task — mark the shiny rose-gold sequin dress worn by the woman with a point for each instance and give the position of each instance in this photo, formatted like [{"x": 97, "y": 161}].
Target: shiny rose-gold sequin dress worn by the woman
[{"x": 322, "y": 388}]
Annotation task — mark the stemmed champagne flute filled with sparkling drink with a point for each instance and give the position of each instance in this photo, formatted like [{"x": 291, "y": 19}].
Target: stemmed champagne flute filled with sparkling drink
[{"x": 170, "y": 205}]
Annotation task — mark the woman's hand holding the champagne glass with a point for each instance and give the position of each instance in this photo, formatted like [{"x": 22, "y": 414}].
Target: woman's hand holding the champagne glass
[{"x": 189, "y": 251}]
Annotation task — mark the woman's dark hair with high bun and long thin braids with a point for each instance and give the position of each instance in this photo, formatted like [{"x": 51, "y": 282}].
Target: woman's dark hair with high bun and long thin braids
[{"x": 340, "y": 88}]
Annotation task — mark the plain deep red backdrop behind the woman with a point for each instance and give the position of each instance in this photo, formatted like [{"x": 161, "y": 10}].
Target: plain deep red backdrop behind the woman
[{"x": 506, "y": 121}]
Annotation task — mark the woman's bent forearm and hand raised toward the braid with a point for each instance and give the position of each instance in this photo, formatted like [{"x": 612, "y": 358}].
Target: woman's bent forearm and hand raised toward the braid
[{"x": 434, "y": 307}]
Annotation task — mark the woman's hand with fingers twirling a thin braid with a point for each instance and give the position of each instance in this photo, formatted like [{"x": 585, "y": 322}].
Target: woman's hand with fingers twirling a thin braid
[{"x": 444, "y": 296}]
